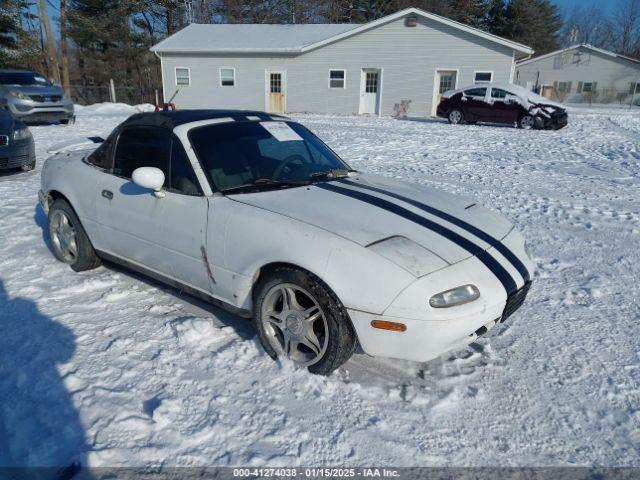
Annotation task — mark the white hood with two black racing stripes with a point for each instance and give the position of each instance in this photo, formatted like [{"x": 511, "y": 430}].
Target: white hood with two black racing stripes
[{"x": 334, "y": 207}]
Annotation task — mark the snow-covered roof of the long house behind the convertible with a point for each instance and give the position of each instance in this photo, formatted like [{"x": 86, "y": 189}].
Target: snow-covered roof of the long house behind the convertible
[{"x": 298, "y": 38}]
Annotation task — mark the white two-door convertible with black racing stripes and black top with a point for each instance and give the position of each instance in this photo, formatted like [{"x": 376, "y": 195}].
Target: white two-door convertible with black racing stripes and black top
[{"x": 254, "y": 213}]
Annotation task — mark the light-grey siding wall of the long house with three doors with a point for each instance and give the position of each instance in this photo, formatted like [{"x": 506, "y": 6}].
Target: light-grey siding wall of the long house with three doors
[{"x": 408, "y": 58}]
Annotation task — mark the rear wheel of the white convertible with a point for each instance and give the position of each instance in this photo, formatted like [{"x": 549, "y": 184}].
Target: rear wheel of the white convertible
[{"x": 70, "y": 242}]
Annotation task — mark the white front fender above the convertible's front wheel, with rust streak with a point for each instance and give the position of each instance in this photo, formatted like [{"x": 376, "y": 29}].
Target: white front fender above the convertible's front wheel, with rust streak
[{"x": 245, "y": 238}]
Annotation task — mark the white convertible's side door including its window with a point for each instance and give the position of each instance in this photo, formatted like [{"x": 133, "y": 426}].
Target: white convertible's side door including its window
[{"x": 163, "y": 233}]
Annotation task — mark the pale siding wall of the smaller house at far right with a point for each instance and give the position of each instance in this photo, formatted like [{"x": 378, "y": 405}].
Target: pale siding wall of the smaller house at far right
[{"x": 611, "y": 74}]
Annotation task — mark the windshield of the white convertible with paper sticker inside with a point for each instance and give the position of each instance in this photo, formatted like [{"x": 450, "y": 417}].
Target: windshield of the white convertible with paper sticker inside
[{"x": 263, "y": 154}]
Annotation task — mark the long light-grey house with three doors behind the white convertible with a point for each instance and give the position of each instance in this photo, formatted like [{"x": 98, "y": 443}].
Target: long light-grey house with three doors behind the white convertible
[{"x": 367, "y": 68}]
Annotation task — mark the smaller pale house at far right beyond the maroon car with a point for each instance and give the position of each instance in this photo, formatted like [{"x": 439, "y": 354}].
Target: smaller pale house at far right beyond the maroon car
[{"x": 581, "y": 73}]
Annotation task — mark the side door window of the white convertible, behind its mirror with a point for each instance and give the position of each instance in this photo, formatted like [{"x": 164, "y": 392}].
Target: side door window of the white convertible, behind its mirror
[{"x": 142, "y": 147}]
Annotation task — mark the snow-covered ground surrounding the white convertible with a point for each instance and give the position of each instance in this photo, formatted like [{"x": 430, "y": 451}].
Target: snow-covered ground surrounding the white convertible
[{"x": 110, "y": 369}]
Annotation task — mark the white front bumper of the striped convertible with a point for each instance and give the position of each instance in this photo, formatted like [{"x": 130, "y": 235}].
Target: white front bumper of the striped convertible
[{"x": 430, "y": 332}]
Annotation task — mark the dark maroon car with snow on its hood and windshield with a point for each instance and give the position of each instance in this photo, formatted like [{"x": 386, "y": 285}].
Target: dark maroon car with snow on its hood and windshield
[{"x": 507, "y": 104}]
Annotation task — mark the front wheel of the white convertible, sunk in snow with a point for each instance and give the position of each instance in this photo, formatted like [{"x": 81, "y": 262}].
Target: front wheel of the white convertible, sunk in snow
[{"x": 322, "y": 344}]
